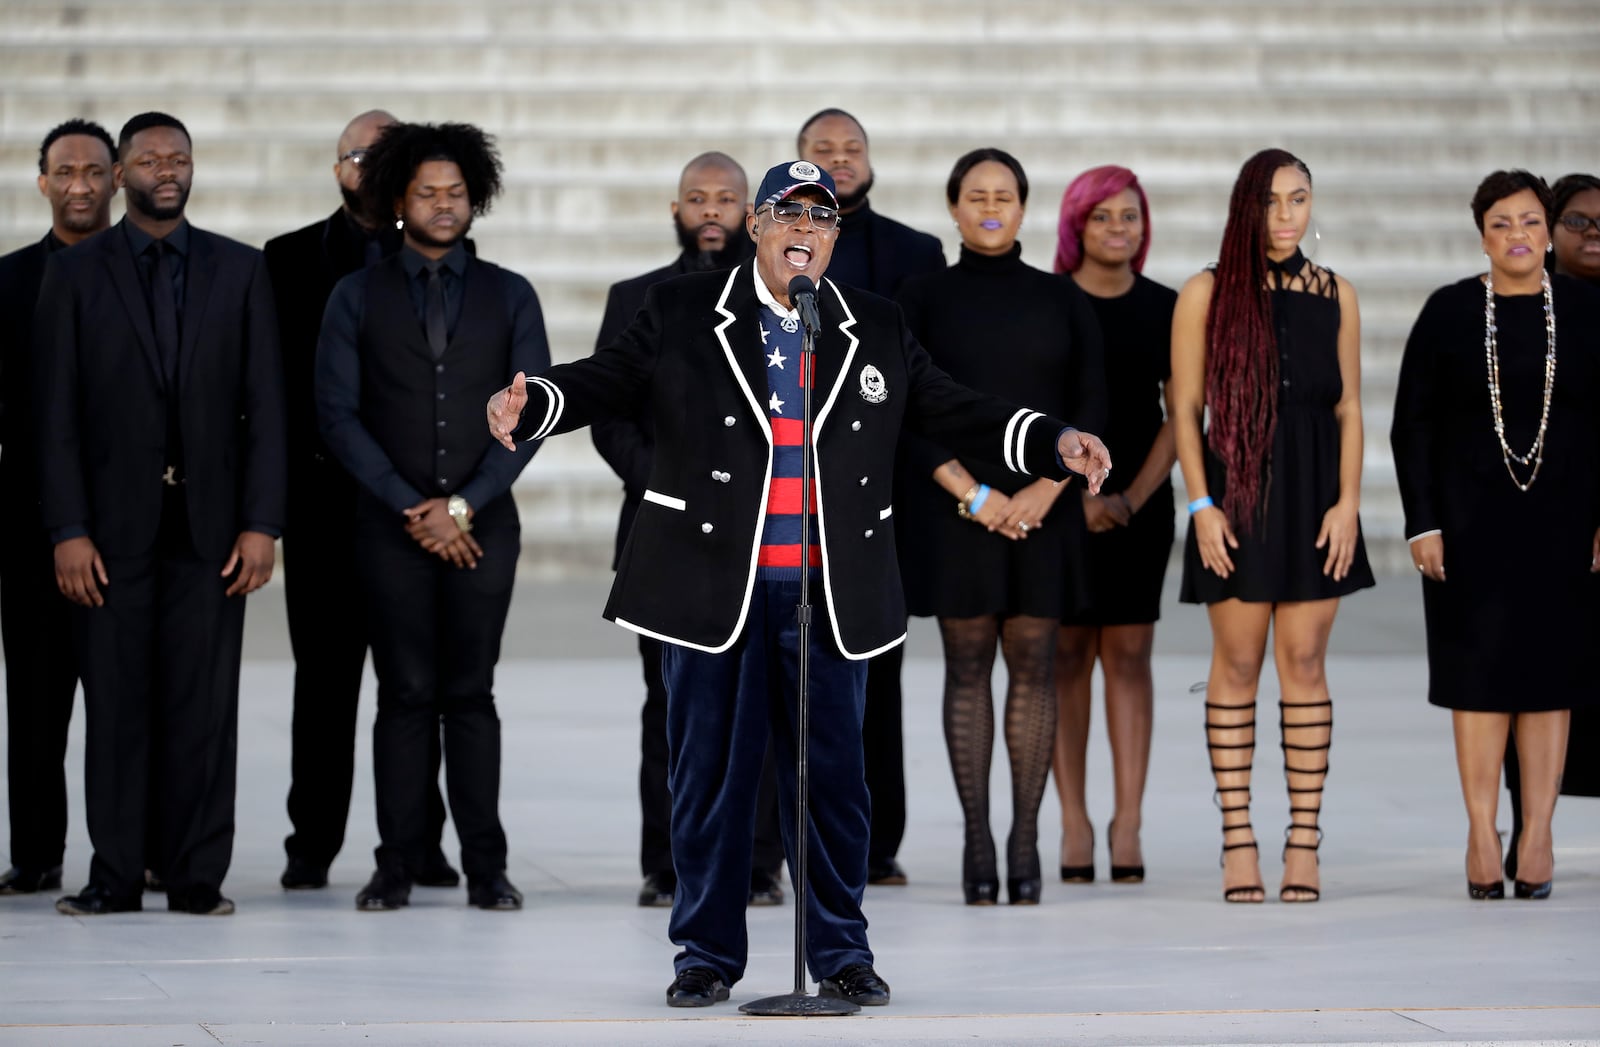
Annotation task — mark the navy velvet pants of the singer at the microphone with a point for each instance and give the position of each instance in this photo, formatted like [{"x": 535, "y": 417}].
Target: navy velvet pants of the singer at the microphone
[{"x": 721, "y": 712}]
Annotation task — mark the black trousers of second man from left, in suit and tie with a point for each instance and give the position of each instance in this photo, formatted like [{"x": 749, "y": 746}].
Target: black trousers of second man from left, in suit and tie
[{"x": 161, "y": 694}]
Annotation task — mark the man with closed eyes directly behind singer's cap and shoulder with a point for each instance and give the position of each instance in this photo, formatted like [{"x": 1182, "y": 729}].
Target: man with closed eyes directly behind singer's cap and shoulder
[{"x": 874, "y": 254}]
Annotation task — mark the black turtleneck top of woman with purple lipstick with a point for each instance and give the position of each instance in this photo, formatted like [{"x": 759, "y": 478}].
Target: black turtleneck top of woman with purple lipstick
[{"x": 1004, "y": 327}]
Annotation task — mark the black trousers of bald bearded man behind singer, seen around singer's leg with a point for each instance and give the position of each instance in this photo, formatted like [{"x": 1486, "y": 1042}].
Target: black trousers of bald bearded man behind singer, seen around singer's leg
[{"x": 655, "y": 800}]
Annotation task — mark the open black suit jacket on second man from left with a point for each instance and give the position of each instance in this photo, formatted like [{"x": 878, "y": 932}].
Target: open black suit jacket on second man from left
[{"x": 103, "y": 414}]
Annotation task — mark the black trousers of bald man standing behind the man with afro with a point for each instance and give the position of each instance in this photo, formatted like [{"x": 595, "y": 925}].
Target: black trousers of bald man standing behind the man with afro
[{"x": 329, "y": 636}]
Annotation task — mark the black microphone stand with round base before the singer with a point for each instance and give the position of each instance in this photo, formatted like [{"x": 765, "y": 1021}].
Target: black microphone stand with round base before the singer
[{"x": 801, "y": 1005}]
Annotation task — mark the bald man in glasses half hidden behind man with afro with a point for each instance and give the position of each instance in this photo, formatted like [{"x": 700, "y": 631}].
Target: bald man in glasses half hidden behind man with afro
[{"x": 319, "y": 545}]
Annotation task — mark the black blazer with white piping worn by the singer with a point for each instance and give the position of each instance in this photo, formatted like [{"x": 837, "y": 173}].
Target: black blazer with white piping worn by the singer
[{"x": 694, "y": 364}]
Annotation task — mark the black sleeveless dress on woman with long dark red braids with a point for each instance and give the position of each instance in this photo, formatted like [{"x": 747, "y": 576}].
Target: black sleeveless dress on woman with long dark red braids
[{"x": 1279, "y": 561}]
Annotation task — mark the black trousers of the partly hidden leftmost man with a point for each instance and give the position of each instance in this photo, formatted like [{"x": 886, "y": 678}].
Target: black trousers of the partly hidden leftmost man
[{"x": 41, "y": 681}]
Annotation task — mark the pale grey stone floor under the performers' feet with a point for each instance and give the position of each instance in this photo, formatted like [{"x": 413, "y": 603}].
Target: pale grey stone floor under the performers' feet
[{"x": 1394, "y": 953}]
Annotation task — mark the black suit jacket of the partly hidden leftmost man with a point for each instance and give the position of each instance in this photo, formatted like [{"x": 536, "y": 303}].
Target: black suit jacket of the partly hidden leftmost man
[{"x": 22, "y": 273}]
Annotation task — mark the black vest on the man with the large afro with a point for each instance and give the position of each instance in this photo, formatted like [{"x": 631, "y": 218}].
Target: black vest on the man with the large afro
[{"x": 428, "y": 415}]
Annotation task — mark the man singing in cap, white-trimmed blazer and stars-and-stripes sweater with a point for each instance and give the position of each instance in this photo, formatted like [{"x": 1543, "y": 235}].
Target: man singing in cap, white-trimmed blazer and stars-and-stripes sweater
[{"x": 714, "y": 563}]
